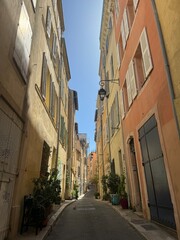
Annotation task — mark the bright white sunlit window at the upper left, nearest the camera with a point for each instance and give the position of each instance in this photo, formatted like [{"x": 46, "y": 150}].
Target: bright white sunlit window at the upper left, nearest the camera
[{"x": 23, "y": 42}]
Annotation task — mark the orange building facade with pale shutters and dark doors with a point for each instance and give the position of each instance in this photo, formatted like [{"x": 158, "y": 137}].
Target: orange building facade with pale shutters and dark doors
[{"x": 151, "y": 137}]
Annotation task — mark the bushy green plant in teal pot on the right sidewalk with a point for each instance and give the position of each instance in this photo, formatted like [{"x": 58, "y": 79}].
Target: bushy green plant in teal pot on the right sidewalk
[{"x": 113, "y": 183}]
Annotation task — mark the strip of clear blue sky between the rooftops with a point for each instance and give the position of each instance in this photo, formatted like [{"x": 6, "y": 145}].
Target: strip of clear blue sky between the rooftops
[{"x": 82, "y": 28}]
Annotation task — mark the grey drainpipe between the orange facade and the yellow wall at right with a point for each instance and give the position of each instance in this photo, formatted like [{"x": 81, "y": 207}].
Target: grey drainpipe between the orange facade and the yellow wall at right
[{"x": 167, "y": 68}]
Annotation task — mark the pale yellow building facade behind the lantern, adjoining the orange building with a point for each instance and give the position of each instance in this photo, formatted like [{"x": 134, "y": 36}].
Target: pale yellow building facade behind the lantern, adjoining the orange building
[{"x": 108, "y": 125}]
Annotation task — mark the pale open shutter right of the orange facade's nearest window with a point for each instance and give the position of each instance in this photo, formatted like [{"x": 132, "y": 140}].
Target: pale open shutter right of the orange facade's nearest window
[{"x": 146, "y": 53}]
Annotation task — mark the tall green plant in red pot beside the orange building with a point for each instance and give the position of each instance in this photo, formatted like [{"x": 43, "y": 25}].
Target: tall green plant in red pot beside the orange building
[{"x": 122, "y": 192}]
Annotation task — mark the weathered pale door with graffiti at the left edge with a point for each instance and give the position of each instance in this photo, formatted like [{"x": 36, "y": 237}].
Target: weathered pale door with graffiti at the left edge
[{"x": 10, "y": 139}]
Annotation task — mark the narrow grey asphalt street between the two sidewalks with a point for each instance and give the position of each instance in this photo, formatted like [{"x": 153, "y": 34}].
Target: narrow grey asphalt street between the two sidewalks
[{"x": 90, "y": 219}]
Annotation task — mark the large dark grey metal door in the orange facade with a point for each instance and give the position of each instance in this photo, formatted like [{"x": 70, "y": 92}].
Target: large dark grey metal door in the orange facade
[{"x": 161, "y": 208}]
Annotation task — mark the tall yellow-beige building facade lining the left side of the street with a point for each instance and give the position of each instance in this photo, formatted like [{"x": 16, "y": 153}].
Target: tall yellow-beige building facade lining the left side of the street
[{"x": 33, "y": 53}]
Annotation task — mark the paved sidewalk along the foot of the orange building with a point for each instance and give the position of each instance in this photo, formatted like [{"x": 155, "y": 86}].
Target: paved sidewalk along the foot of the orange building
[{"x": 148, "y": 229}]
